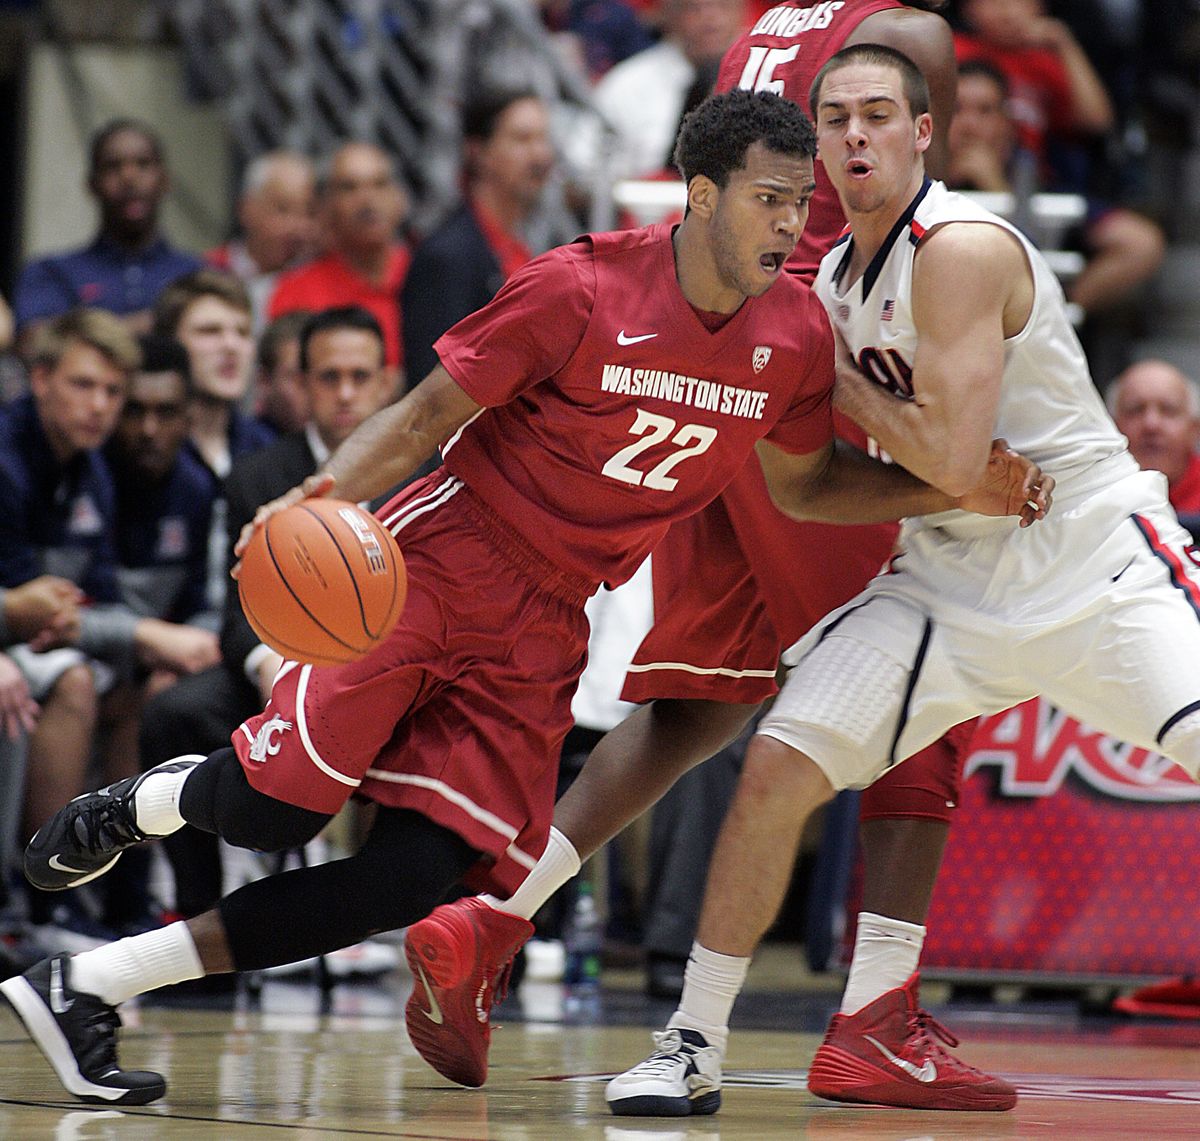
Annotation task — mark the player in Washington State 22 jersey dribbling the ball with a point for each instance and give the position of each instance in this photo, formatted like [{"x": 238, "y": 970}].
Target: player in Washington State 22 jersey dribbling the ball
[{"x": 613, "y": 387}]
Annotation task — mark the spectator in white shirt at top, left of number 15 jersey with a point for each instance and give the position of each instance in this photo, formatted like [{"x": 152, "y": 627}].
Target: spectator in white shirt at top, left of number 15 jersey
[{"x": 643, "y": 99}]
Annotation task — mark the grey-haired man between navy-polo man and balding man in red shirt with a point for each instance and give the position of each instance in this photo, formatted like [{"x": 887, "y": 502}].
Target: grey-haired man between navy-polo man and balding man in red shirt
[{"x": 277, "y": 215}]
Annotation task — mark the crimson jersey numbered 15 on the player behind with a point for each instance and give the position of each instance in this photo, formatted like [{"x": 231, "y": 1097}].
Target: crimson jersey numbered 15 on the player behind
[{"x": 783, "y": 53}]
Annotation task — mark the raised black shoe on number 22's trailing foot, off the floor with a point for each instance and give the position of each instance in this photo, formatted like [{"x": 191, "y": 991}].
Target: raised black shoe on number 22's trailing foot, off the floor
[{"x": 85, "y": 839}]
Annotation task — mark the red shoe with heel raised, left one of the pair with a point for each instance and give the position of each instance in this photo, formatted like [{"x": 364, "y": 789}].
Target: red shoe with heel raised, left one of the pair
[{"x": 461, "y": 957}]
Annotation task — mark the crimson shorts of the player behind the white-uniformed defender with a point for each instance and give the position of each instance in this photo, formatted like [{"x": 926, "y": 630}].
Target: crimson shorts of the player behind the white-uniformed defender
[{"x": 725, "y": 578}]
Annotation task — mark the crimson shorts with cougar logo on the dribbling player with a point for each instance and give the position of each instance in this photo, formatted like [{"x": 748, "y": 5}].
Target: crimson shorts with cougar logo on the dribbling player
[{"x": 460, "y": 714}]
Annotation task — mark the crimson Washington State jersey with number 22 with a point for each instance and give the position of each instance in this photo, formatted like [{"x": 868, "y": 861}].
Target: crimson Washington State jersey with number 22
[{"x": 611, "y": 410}]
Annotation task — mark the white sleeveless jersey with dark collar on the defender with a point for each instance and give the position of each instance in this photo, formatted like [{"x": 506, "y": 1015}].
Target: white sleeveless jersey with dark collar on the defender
[{"x": 1049, "y": 409}]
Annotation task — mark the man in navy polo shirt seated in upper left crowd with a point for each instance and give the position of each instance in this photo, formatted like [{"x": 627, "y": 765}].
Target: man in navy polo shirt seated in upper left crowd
[{"x": 130, "y": 262}]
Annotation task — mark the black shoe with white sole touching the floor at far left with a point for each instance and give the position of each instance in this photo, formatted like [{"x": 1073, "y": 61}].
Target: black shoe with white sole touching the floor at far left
[{"x": 77, "y": 1034}]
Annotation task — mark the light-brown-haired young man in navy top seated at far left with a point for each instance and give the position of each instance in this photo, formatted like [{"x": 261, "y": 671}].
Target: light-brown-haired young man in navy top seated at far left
[{"x": 57, "y": 517}]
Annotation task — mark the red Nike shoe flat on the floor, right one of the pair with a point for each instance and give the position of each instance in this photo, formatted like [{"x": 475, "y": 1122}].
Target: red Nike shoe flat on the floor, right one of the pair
[{"x": 889, "y": 1054}]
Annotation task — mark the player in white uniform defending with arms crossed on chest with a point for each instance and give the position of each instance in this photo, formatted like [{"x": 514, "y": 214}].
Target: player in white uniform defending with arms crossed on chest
[{"x": 952, "y": 331}]
